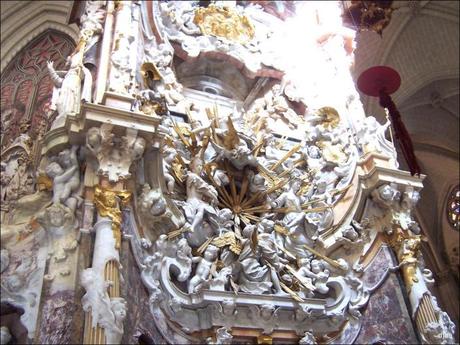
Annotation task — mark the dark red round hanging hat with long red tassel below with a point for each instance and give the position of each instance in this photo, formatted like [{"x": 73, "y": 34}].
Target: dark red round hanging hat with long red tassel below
[{"x": 381, "y": 82}]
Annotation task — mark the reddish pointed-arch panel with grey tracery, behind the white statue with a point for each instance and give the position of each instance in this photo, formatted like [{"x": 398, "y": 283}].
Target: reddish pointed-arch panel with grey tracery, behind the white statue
[{"x": 26, "y": 87}]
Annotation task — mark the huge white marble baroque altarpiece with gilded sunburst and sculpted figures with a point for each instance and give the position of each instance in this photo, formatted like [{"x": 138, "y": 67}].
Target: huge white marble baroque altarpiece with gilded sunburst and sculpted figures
[{"x": 169, "y": 179}]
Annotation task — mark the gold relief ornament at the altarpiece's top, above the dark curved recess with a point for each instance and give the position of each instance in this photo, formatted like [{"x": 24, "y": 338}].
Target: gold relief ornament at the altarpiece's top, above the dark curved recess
[{"x": 224, "y": 22}]
